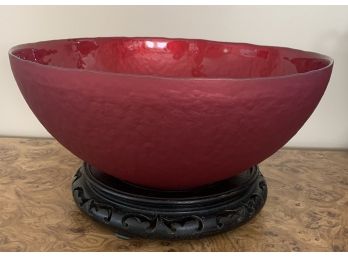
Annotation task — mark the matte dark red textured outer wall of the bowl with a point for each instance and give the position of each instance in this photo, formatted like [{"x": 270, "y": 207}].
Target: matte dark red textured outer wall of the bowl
[{"x": 165, "y": 132}]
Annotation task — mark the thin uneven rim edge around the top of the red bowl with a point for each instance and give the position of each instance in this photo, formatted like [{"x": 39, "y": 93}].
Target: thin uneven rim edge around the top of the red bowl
[{"x": 135, "y": 75}]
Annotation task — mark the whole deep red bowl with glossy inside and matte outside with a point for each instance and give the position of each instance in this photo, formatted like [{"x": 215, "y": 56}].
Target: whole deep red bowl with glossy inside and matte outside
[{"x": 169, "y": 113}]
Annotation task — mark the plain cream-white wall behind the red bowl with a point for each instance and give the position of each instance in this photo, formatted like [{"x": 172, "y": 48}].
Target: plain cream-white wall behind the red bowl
[{"x": 315, "y": 28}]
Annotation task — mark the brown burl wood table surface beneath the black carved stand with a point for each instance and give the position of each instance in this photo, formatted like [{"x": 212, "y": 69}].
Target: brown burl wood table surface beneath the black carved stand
[{"x": 306, "y": 210}]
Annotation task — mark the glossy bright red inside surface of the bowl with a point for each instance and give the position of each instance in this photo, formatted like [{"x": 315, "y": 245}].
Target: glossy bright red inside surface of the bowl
[{"x": 184, "y": 58}]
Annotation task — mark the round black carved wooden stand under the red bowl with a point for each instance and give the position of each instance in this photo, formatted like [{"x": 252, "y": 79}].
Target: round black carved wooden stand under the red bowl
[{"x": 135, "y": 211}]
